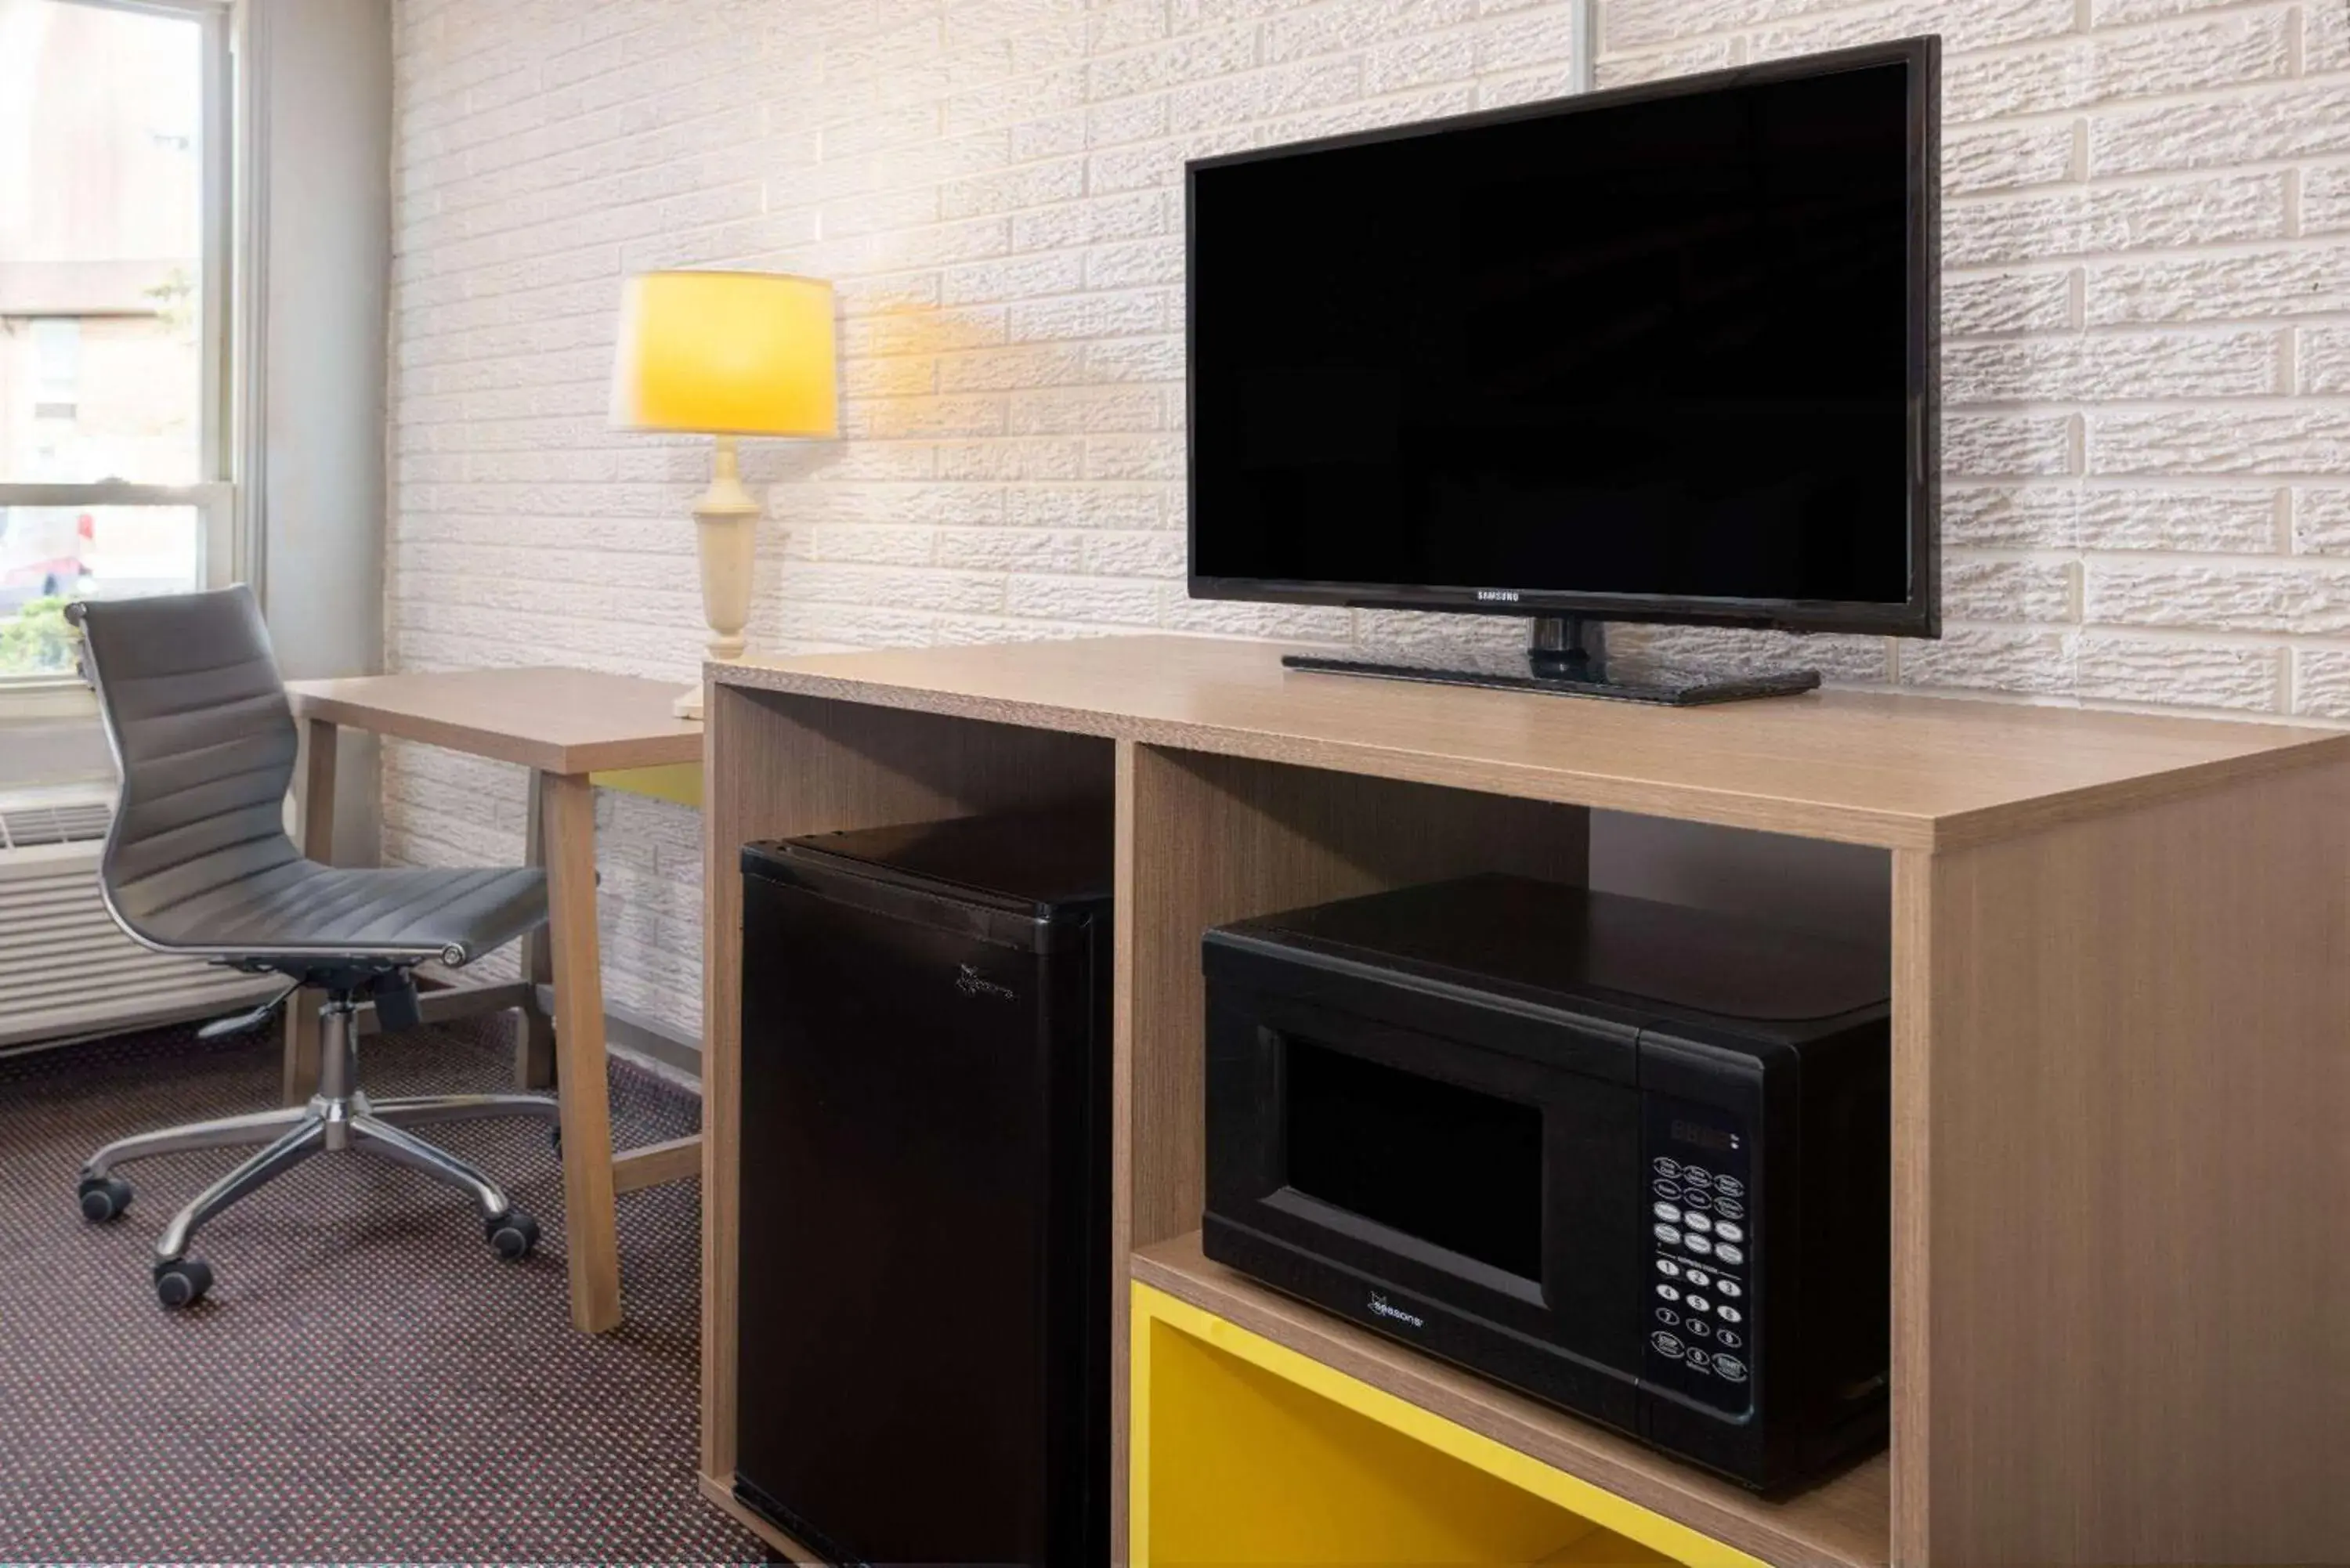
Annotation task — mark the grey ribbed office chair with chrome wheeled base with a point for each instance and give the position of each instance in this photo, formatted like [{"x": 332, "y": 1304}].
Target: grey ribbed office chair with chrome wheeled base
[{"x": 199, "y": 864}]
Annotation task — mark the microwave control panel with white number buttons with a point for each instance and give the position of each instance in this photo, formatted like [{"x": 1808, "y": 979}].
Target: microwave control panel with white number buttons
[{"x": 1703, "y": 1245}]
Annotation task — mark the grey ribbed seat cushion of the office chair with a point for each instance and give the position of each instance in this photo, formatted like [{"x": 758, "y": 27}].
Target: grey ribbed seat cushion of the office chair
[{"x": 304, "y": 909}]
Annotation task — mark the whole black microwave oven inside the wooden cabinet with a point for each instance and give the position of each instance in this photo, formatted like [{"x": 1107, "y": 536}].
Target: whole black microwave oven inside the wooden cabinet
[{"x": 1623, "y": 1155}]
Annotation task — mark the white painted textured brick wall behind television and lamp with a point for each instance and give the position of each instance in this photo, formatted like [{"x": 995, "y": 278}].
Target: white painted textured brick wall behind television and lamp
[{"x": 2147, "y": 335}]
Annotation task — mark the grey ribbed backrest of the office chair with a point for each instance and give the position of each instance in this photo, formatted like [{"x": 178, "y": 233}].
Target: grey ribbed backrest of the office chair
[{"x": 206, "y": 744}]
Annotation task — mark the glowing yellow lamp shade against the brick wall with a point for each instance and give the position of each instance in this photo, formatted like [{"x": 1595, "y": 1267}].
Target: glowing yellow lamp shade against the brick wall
[{"x": 725, "y": 354}]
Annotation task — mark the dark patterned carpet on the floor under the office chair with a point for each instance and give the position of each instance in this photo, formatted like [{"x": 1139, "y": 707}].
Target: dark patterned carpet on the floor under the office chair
[{"x": 368, "y": 1381}]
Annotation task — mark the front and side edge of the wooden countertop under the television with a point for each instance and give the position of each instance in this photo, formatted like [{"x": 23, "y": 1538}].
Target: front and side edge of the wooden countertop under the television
[{"x": 1686, "y": 803}]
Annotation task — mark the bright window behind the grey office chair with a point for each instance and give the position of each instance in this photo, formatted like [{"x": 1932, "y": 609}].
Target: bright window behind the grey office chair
[{"x": 114, "y": 311}]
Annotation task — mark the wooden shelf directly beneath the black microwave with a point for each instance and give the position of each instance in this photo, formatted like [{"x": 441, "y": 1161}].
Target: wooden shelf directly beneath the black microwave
[{"x": 1846, "y": 1522}]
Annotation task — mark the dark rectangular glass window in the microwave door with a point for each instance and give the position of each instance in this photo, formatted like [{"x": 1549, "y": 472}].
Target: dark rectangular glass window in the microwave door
[{"x": 1439, "y": 1162}]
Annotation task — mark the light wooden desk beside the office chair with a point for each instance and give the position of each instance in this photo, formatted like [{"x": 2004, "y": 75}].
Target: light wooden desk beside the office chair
[{"x": 560, "y": 725}]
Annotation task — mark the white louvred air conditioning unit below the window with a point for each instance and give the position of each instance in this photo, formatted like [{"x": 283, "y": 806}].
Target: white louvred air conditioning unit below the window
[{"x": 67, "y": 972}]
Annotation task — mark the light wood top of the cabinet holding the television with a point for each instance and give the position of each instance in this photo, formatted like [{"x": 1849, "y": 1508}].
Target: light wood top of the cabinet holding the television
[{"x": 1862, "y": 768}]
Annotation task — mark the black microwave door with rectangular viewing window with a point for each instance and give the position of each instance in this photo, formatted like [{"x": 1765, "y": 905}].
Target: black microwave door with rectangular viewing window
[{"x": 1496, "y": 1184}]
